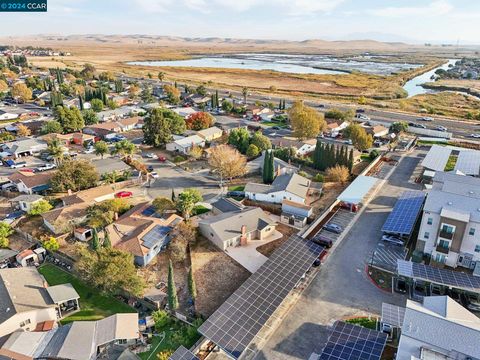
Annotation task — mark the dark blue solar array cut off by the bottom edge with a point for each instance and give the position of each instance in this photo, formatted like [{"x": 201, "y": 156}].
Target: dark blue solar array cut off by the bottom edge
[{"x": 353, "y": 342}]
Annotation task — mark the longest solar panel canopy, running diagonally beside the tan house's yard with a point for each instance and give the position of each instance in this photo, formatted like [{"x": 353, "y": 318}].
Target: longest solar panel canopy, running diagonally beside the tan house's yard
[{"x": 239, "y": 319}]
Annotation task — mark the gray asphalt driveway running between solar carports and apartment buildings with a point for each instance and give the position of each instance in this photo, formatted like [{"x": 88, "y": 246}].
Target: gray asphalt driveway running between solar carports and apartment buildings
[{"x": 342, "y": 288}]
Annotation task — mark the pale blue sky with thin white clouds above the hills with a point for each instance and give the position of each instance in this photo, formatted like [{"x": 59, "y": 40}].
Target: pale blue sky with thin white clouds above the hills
[{"x": 405, "y": 20}]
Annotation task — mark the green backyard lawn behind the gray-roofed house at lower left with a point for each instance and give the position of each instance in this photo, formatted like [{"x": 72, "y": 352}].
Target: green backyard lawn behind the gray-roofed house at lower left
[{"x": 93, "y": 305}]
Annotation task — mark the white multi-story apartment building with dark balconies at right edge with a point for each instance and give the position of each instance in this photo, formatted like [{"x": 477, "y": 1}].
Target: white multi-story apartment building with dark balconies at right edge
[{"x": 450, "y": 227}]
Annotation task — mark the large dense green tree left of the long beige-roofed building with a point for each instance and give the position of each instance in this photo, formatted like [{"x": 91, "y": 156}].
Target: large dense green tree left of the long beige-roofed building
[{"x": 159, "y": 126}]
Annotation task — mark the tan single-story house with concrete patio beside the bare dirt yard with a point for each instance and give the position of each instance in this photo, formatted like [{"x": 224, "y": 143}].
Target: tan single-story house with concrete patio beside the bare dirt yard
[{"x": 236, "y": 228}]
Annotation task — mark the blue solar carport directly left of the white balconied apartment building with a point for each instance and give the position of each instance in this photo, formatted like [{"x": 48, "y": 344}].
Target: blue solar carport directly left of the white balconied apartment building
[{"x": 404, "y": 215}]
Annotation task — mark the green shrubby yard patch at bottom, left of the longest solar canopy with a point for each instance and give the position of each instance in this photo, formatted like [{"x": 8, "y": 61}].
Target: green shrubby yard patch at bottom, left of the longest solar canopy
[{"x": 176, "y": 334}]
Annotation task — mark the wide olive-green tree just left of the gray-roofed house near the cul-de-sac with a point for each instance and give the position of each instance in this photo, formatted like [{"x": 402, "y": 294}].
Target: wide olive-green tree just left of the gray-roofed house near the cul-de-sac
[{"x": 74, "y": 175}]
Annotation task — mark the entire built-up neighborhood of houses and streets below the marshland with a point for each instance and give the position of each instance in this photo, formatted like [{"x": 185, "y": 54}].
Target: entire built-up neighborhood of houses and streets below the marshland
[{"x": 148, "y": 216}]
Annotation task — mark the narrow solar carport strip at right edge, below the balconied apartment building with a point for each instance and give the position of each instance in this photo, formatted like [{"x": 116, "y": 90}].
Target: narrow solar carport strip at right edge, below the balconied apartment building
[{"x": 438, "y": 276}]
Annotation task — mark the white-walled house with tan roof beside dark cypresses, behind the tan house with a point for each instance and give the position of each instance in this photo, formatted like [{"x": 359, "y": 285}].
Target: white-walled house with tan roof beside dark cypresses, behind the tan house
[{"x": 291, "y": 187}]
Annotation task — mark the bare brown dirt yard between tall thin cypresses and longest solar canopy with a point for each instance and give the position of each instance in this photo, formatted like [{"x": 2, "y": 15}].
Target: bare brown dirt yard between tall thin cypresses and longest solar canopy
[{"x": 217, "y": 276}]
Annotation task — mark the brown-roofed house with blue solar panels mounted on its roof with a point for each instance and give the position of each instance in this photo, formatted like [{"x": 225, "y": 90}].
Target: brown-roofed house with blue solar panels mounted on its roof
[{"x": 141, "y": 234}]
